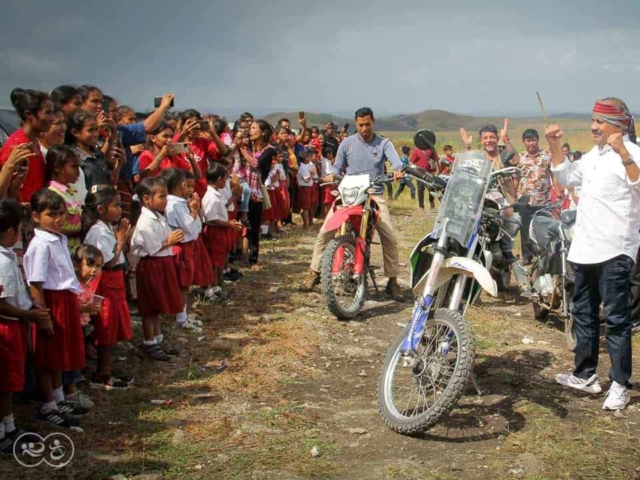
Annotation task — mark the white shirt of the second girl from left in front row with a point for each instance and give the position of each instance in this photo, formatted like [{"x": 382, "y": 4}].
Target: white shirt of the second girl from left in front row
[{"x": 47, "y": 261}]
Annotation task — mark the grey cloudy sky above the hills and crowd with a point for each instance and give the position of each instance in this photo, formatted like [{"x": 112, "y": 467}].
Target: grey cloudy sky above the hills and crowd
[{"x": 329, "y": 56}]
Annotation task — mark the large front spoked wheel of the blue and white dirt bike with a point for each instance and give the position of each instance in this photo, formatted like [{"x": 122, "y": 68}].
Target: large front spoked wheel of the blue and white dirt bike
[{"x": 412, "y": 399}]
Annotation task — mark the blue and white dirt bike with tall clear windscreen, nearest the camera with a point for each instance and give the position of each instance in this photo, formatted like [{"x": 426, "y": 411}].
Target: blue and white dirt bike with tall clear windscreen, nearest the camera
[{"x": 429, "y": 364}]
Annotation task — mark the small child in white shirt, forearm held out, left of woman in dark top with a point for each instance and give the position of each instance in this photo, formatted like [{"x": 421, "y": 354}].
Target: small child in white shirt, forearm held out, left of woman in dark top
[{"x": 216, "y": 216}]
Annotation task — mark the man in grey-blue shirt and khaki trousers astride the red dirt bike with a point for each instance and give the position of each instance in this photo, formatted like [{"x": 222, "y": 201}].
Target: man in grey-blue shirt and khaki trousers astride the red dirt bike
[{"x": 364, "y": 153}]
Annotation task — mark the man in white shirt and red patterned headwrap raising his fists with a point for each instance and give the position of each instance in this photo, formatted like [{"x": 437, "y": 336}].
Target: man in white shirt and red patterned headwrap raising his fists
[{"x": 604, "y": 247}]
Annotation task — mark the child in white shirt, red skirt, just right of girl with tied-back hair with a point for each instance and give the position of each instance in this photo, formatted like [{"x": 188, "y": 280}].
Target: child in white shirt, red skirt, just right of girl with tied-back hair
[{"x": 157, "y": 279}]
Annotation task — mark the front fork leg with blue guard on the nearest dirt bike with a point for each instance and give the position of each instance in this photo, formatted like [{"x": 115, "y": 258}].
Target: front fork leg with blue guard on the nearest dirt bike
[{"x": 420, "y": 314}]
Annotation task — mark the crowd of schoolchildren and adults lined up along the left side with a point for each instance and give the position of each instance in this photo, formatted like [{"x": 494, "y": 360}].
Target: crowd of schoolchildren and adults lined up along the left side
[{"x": 102, "y": 213}]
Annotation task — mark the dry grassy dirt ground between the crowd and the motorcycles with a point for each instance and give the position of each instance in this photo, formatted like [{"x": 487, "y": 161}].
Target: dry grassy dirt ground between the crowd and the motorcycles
[{"x": 300, "y": 381}]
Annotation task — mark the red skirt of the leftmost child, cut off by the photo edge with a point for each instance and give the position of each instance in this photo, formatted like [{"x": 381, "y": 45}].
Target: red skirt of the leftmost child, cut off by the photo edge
[{"x": 13, "y": 355}]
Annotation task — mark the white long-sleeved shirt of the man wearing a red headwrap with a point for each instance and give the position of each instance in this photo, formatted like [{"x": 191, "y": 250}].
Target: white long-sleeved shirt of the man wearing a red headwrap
[{"x": 608, "y": 219}]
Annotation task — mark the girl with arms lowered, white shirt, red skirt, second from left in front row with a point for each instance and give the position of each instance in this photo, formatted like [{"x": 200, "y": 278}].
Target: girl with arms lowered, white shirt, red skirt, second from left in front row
[{"x": 59, "y": 343}]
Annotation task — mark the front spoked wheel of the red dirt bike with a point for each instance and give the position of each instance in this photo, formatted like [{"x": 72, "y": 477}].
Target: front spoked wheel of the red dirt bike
[{"x": 343, "y": 290}]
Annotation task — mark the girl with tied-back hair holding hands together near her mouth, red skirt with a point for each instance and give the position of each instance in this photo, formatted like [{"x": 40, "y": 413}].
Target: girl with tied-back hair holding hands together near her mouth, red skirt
[{"x": 104, "y": 229}]
